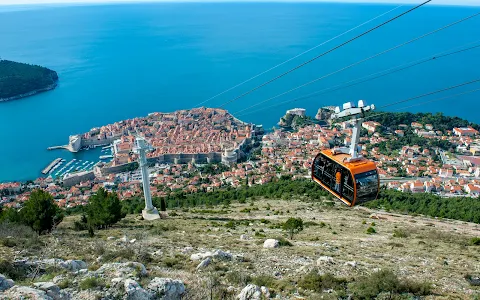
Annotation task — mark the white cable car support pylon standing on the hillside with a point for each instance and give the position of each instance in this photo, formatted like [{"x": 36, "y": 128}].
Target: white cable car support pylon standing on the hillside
[{"x": 141, "y": 147}]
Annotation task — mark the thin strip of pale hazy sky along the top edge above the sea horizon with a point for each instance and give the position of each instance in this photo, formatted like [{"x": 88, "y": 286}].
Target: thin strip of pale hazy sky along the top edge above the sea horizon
[{"x": 439, "y": 2}]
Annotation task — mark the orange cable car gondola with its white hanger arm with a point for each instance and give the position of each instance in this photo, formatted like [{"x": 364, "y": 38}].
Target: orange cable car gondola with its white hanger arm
[{"x": 344, "y": 173}]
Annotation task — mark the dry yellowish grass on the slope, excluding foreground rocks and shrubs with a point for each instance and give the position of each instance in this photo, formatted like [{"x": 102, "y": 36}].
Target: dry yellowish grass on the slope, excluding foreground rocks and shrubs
[{"x": 420, "y": 249}]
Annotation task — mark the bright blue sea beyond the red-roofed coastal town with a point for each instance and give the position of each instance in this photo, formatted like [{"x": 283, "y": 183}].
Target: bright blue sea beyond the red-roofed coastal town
[{"x": 122, "y": 61}]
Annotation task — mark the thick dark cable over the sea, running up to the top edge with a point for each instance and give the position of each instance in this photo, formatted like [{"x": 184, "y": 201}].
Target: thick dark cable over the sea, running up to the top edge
[{"x": 323, "y": 54}]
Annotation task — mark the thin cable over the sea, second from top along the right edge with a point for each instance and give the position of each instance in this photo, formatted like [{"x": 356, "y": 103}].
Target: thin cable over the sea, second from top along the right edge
[{"x": 367, "y": 78}]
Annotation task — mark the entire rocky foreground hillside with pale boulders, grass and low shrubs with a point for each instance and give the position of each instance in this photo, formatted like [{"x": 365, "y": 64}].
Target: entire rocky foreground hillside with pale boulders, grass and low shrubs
[{"x": 242, "y": 251}]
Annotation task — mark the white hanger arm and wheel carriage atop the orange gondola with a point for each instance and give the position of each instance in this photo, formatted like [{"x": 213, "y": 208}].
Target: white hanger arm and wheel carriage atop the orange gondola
[{"x": 354, "y": 113}]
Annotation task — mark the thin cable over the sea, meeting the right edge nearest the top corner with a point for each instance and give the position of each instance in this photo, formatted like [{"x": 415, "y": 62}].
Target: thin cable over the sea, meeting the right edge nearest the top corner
[{"x": 359, "y": 62}]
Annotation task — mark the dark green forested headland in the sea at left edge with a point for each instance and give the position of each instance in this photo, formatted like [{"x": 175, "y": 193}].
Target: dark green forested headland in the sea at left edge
[{"x": 19, "y": 80}]
